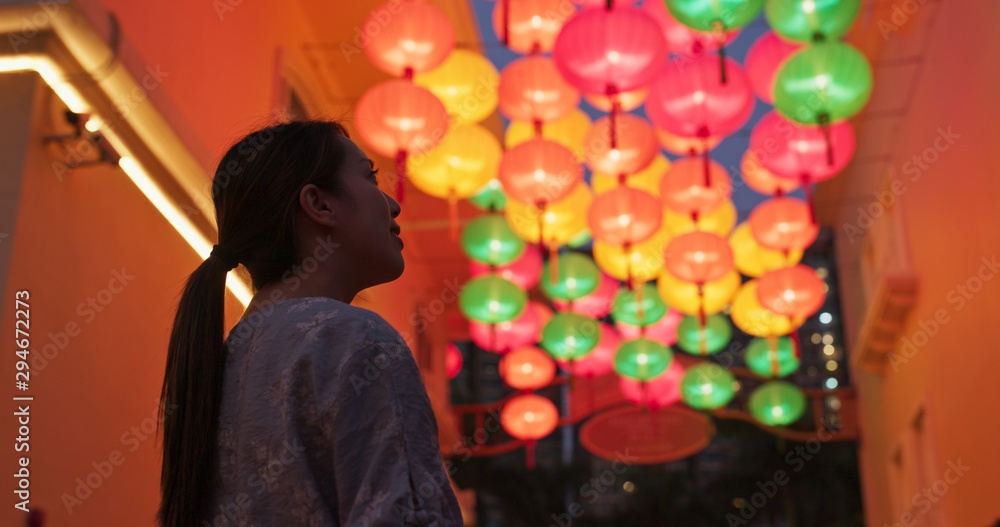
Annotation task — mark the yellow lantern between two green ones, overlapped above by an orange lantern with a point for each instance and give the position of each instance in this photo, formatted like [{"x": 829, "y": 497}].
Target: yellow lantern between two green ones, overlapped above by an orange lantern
[{"x": 561, "y": 221}]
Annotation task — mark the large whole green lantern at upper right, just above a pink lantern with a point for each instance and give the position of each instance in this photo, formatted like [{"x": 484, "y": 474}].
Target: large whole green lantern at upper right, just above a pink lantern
[{"x": 823, "y": 83}]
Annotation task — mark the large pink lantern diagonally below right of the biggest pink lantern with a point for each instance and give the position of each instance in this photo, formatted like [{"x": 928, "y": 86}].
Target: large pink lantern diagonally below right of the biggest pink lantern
[{"x": 689, "y": 99}]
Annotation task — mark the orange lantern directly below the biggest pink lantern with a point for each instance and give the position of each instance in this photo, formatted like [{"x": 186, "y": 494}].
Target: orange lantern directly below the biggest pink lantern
[{"x": 627, "y": 149}]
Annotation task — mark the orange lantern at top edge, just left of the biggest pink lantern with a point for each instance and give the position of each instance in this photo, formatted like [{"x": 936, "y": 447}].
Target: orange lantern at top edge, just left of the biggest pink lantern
[{"x": 529, "y": 26}]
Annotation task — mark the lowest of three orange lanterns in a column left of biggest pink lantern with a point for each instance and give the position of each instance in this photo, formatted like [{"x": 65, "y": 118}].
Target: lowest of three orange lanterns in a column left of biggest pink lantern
[{"x": 539, "y": 172}]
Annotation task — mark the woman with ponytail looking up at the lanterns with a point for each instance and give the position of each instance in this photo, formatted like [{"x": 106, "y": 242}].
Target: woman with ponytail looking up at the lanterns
[{"x": 312, "y": 411}]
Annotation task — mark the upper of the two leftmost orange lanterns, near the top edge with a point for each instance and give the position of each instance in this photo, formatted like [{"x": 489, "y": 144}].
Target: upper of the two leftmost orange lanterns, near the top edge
[{"x": 416, "y": 39}]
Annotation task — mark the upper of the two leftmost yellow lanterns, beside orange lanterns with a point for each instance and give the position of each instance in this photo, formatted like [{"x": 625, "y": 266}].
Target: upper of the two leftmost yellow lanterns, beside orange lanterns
[{"x": 467, "y": 84}]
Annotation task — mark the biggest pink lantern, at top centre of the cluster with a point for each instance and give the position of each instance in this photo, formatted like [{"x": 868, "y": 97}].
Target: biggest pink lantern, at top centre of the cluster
[{"x": 610, "y": 51}]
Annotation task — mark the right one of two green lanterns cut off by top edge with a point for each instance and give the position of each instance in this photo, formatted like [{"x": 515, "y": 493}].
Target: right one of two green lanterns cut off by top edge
[{"x": 811, "y": 20}]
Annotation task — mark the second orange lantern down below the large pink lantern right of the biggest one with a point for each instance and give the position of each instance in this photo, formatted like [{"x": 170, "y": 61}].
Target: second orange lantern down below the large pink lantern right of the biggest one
[{"x": 698, "y": 257}]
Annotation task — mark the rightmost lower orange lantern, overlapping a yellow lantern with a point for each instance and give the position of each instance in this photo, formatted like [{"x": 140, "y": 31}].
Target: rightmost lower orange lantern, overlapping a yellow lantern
[{"x": 795, "y": 291}]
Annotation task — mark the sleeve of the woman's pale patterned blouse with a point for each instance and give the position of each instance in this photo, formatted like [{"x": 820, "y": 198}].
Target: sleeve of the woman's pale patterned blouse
[{"x": 387, "y": 465}]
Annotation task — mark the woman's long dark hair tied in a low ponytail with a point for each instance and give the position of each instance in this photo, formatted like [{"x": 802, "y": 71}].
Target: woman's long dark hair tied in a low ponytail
[{"x": 255, "y": 191}]
